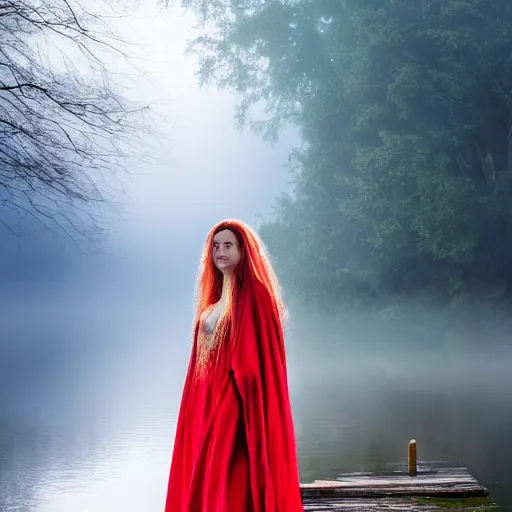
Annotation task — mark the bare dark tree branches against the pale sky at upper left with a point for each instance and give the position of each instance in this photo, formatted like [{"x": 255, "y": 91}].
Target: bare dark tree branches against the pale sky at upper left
[{"x": 63, "y": 127}]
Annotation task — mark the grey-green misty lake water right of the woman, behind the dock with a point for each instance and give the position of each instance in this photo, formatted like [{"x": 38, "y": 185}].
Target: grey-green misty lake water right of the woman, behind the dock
[{"x": 362, "y": 390}]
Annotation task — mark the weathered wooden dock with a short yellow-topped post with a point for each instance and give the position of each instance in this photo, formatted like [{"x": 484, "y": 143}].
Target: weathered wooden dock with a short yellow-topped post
[{"x": 417, "y": 487}]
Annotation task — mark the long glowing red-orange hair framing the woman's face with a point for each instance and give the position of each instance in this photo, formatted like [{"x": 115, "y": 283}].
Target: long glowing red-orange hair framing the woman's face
[{"x": 254, "y": 265}]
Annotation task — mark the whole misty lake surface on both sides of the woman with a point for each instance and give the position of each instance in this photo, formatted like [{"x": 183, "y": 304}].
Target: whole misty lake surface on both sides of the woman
[{"x": 90, "y": 390}]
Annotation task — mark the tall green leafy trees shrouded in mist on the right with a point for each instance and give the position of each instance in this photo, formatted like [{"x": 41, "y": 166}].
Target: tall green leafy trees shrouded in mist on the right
[{"x": 404, "y": 178}]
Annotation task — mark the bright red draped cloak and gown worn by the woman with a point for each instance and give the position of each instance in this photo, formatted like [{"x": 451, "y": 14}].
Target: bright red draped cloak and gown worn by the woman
[{"x": 234, "y": 449}]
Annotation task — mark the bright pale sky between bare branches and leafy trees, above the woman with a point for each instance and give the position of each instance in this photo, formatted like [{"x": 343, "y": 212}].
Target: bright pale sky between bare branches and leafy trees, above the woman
[{"x": 204, "y": 170}]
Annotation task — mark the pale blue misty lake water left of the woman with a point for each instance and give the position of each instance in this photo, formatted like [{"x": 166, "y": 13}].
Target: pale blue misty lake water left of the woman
[{"x": 90, "y": 396}]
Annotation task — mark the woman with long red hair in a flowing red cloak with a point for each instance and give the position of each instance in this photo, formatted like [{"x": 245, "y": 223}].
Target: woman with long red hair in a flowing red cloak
[{"x": 234, "y": 449}]
